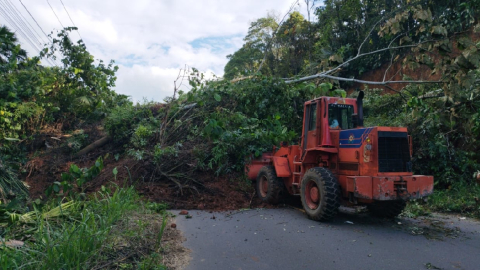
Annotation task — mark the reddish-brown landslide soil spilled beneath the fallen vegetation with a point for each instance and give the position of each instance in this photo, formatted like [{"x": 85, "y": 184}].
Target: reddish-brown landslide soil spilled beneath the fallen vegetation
[{"x": 208, "y": 192}]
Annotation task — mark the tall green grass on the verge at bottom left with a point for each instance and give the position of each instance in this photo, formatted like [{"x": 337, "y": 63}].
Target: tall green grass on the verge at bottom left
[{"x": 111, "y": 230}]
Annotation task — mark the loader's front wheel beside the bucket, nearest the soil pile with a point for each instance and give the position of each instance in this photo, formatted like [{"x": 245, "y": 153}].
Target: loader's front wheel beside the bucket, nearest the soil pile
[{"x": 269, "y": 187}]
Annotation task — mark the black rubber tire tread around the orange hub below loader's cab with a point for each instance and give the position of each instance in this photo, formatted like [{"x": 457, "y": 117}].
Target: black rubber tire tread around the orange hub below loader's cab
[{"x": 332, "y": 194}]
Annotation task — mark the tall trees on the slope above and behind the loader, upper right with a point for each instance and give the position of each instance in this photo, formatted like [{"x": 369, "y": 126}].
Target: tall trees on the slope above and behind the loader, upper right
[{"x": 431, "y": 48}]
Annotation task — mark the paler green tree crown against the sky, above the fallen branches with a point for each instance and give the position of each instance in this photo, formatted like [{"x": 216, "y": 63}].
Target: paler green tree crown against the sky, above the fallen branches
[{"x": 283, "y": 49}]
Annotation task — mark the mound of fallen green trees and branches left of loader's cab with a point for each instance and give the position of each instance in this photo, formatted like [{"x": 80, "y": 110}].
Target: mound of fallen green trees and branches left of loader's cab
[{"x": 216, "y": 125}]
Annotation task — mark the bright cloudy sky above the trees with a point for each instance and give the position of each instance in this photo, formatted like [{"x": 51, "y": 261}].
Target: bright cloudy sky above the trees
[{"x": 150, "y": 41}]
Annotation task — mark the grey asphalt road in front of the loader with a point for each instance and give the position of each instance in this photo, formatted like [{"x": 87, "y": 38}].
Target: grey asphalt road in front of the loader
[{"x": 286, "y": 239}]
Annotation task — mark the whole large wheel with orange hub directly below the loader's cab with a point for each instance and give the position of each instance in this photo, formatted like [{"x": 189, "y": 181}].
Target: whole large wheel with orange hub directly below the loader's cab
[{"x": 320, "y": 194}]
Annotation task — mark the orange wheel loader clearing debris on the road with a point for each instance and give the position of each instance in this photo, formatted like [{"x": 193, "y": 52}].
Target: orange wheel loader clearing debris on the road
[{"x": 341, "y": 162}]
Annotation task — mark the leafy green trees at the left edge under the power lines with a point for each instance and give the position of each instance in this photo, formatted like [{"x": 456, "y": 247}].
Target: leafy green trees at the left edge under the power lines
[{"x": 32, "y": 95}]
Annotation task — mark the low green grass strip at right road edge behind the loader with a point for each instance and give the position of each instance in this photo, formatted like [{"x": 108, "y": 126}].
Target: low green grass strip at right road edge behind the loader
[{"x": 462, "y": 198}]
